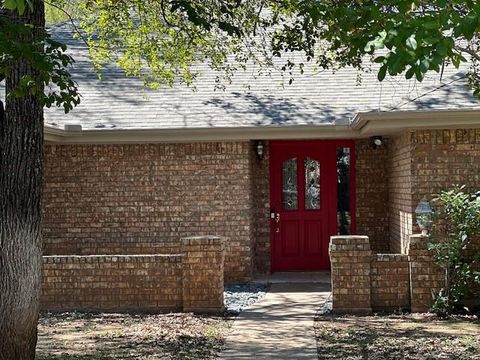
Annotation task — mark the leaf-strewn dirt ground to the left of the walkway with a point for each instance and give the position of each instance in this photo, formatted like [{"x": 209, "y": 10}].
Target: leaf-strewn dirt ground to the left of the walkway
[{"x": 83, "y": 336}]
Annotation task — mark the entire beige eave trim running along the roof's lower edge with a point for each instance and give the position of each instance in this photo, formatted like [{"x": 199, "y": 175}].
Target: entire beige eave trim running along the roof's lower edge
[{"x": 362, "y": 126}]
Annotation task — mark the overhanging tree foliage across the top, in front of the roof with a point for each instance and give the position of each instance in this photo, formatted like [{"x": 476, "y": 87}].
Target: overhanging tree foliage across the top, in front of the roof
[{"x": 161, "y": 41}]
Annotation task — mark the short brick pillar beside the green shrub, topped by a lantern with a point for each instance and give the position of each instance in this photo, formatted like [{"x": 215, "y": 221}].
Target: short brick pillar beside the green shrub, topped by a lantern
[{"x": 426, "y": 278}]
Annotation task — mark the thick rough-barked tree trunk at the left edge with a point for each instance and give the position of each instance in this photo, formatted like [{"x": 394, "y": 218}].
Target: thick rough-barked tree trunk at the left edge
[{"x": 21, "y": 172}]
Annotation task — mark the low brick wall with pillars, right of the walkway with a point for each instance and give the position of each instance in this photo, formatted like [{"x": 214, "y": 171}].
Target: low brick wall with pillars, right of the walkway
[{"x": 362, "y": 281}]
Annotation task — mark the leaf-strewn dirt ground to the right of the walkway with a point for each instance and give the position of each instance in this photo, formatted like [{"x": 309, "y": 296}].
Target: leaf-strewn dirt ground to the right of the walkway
[{"x": 410, "y": 337}]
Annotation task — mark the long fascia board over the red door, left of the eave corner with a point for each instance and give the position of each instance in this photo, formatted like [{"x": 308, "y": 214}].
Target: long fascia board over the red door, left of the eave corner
[{"x": 200, "y": 134}]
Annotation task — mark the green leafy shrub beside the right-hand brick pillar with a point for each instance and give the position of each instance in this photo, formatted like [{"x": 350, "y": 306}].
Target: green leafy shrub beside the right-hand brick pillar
[{"x": 458, "y": 222}]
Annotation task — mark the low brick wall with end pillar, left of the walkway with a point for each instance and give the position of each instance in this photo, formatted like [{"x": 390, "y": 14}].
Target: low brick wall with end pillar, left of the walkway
[{"x": 191, "y": 281}]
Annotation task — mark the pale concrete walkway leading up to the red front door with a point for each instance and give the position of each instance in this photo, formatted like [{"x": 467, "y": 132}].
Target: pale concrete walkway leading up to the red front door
[{"x": 280, "y": 326}]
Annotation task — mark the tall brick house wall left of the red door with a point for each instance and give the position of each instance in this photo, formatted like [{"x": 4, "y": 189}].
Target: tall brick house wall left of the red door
[{"x": 140, "y": 199}]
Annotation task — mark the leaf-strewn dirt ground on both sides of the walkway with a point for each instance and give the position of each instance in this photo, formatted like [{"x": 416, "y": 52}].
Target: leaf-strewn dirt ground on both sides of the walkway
[{"x": 83, "y": 336}]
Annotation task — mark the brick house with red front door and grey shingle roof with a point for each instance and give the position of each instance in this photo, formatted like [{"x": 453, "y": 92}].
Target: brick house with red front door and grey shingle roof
[{"x": 276, "y": 170}]
